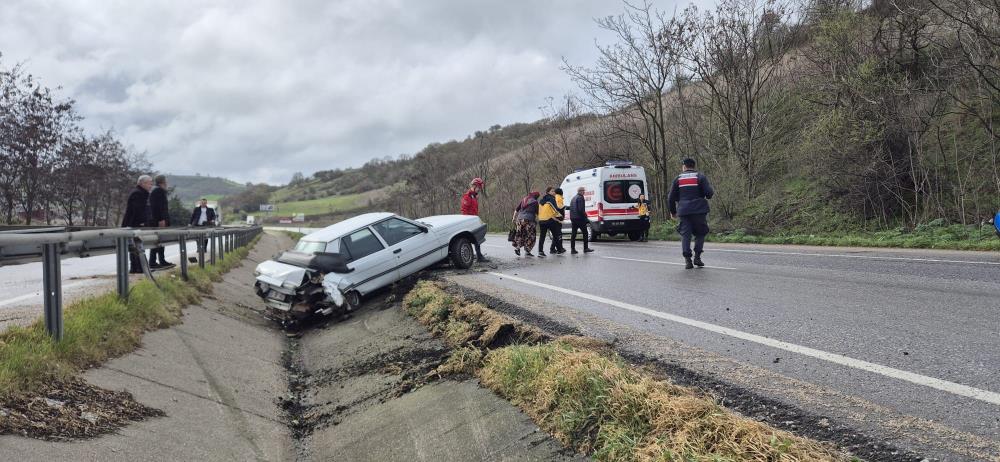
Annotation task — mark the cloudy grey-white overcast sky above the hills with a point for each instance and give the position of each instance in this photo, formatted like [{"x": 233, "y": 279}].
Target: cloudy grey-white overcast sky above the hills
[{"x": 256, "y": 90}]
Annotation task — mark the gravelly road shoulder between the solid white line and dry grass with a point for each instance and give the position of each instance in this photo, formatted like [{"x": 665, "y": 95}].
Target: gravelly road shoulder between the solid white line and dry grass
[{"x": 861, "y": 427}]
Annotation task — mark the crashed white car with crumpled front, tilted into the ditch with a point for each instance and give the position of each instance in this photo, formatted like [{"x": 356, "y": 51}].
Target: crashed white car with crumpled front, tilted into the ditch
[{"x": 330, "y": 270}]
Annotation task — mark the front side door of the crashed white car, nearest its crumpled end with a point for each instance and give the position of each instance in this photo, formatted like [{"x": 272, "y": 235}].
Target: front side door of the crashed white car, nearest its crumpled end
[{"x": 374, "y": 265}]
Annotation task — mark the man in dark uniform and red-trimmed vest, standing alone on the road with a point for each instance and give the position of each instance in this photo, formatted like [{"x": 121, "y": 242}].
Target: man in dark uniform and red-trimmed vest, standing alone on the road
[{"x": 688, "y": 200}]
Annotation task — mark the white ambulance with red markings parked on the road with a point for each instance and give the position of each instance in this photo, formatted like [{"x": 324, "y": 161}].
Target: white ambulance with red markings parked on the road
[{"x": 611, "y": 194}]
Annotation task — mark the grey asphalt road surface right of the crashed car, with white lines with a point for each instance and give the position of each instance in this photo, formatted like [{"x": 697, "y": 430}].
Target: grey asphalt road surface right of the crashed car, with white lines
[{"x": 914, "y": 331}]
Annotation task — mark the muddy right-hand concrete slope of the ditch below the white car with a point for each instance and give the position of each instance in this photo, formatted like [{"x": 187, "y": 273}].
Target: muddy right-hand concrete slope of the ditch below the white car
[{"x": 366, "y": 389}]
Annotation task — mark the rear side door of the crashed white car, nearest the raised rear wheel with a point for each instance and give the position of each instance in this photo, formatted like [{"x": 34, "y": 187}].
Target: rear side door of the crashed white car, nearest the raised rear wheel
[{"x": 416, "y": 247}]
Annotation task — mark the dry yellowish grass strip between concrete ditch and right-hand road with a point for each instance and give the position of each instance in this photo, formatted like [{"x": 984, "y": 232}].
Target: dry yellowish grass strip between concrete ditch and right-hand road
[{"x": 591, "y": 400}]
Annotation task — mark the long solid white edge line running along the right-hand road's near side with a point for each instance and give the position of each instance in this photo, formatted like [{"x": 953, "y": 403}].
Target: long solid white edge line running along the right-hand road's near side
[{"x": 938, "y": 384}]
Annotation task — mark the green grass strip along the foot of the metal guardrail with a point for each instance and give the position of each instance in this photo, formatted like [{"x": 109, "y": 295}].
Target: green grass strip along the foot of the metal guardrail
[{"x": 102, "y": 327}]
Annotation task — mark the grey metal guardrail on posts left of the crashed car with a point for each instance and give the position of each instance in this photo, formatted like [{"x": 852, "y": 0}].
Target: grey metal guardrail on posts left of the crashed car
[{"x": 49, "y": 245}]
